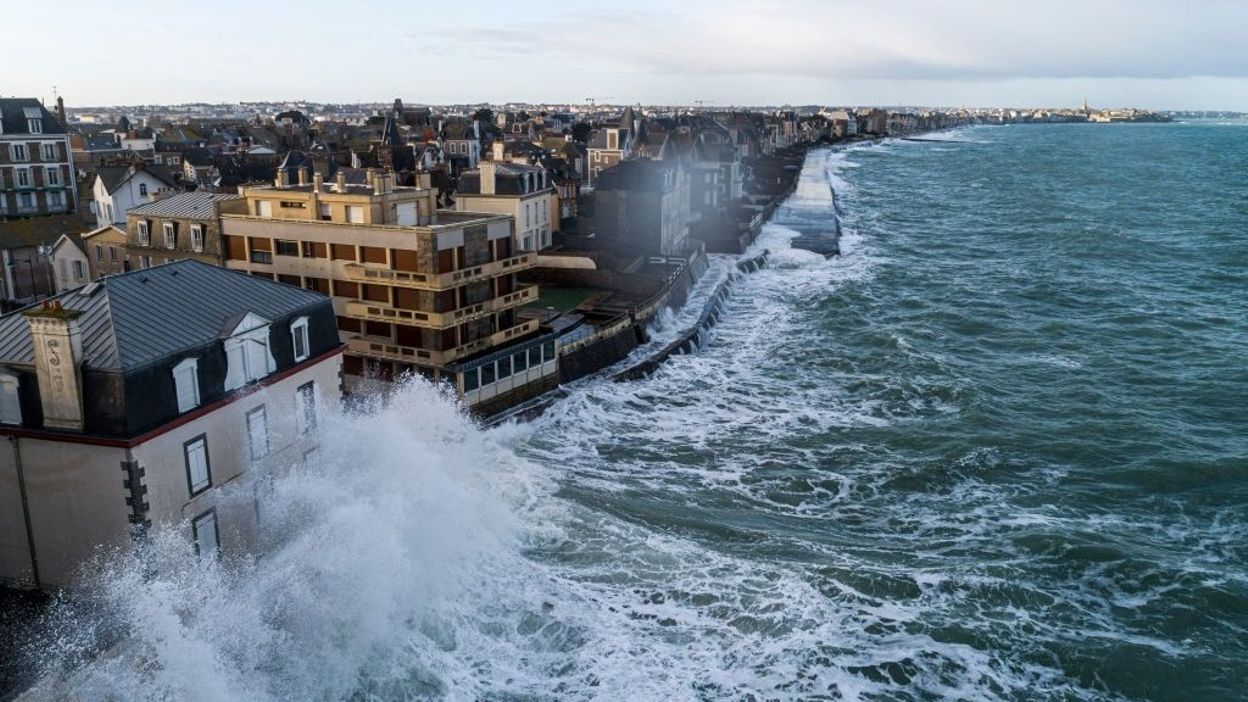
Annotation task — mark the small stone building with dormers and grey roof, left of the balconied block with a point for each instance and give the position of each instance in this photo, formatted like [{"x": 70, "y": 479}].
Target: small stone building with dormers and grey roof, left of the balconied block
[{"x": 187, "y": 225}]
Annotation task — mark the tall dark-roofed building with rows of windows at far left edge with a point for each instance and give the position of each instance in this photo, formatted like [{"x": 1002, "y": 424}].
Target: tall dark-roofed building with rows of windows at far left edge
[{"x": 37, "y": 175}]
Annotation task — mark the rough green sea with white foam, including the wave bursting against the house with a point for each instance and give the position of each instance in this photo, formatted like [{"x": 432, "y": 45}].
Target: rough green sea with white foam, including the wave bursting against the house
[{"x": 995, "y": 450}]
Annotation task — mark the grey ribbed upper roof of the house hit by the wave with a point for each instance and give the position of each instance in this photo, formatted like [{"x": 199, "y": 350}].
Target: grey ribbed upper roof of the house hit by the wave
[{"x": 143, "y": 317}]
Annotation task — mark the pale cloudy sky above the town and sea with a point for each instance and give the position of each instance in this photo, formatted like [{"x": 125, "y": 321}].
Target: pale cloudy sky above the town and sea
[{"x": 1160, "y": 54}]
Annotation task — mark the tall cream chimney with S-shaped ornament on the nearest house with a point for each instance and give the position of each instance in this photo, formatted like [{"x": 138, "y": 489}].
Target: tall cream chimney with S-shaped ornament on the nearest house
[{"x": 58, "y": 342}]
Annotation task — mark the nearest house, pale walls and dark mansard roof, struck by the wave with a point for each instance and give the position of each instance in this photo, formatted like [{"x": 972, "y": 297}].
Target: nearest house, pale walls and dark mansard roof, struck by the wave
[{"x": 154, "y": 398}]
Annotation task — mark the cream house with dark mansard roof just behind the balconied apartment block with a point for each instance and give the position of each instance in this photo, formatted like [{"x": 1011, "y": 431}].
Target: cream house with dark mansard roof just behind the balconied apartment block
[{"x": 522, "y": 192}]
